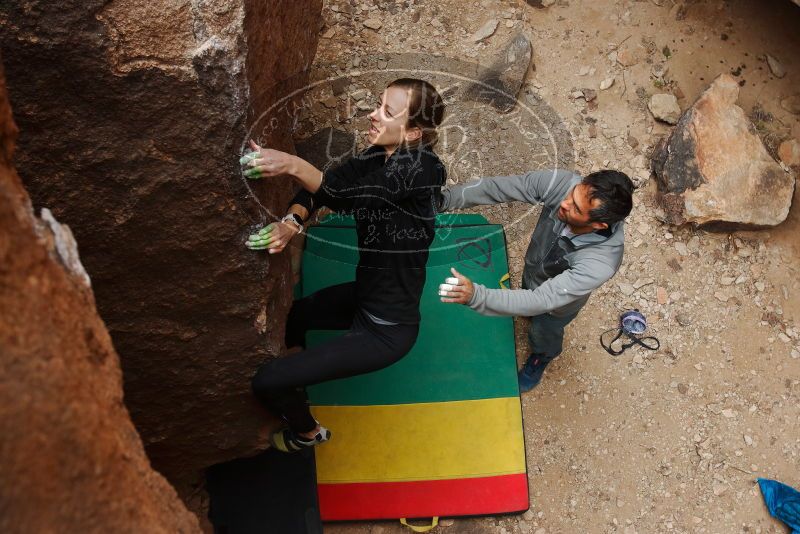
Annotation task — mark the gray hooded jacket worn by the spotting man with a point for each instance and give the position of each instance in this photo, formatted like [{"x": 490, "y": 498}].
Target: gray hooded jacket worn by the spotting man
[{"x": 560, "y": 272}]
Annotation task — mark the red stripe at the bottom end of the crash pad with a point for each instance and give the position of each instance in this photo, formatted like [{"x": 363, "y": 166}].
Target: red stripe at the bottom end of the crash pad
[{"x": 429, "y": 498}]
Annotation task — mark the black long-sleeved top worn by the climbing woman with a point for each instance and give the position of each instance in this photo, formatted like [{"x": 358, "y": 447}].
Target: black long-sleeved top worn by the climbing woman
[{"x": 393, "y": 202}]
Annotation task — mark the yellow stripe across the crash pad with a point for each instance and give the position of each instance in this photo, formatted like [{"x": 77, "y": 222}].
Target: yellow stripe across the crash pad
[{"x": 426, "y": 441}]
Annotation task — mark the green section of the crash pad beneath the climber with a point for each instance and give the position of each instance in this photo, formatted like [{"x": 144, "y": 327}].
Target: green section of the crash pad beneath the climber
[{"x": 455, "y": 344}]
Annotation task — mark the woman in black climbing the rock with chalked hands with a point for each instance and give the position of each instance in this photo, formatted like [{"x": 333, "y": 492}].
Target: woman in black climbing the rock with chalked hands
[{"x": 390, "y": 189}]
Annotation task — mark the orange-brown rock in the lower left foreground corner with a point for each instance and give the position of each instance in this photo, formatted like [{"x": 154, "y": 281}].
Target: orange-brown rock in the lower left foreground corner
[{"x": 70, "y": 458}]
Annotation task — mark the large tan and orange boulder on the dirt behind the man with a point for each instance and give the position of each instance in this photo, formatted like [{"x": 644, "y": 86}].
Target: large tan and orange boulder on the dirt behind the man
[{"x": 714, "y": 171}]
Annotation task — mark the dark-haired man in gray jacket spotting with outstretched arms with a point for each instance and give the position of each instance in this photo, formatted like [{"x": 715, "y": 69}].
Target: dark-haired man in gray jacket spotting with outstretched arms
[{"x": 577, "y": 246}]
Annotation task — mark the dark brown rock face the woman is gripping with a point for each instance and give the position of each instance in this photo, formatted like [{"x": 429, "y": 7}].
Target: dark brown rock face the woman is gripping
[{"x": 133, "y": 116}]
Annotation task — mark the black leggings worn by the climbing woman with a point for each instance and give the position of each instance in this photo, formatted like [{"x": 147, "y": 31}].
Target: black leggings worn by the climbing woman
[{"x": 280, "y": 383}]
